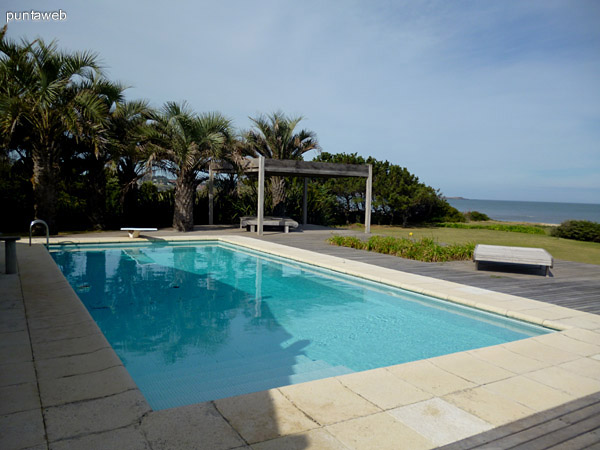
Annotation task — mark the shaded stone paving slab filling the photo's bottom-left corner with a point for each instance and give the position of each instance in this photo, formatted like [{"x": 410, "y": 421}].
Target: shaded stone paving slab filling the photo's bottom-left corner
[{"x": 22, "y": 430}]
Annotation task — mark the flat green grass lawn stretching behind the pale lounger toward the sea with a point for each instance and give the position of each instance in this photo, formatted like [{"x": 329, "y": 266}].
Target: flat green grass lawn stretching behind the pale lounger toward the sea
[{"x": 566, "y": 249}]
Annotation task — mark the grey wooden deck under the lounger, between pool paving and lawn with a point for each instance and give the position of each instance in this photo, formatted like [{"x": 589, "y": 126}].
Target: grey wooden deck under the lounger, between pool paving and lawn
[{"x": 572, "y": 285}]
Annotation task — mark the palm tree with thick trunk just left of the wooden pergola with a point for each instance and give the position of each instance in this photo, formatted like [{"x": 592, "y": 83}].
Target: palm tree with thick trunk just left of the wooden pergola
[{"x": 184, "y": 143}]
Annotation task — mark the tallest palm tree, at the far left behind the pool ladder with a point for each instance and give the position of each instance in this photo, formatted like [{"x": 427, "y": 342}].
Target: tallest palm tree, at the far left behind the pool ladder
[{"x": 43, "y": 104}]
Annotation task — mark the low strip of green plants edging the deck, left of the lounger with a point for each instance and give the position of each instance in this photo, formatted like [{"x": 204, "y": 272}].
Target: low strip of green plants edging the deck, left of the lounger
[{"x": 422, "y": 250}]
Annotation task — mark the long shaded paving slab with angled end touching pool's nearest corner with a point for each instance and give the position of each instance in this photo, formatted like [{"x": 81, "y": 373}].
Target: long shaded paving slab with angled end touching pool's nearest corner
[{"x": 93, "y": 416}]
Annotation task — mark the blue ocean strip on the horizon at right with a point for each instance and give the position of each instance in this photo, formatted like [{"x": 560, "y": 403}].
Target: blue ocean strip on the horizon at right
[{"x": 535, "y": 212}]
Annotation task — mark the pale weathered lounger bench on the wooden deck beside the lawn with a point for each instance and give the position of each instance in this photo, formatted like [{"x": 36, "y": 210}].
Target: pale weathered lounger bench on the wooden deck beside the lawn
[{"x": 513, "y": 255}]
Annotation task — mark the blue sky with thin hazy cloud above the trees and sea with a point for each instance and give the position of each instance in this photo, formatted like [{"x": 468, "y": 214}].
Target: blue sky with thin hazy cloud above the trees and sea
[{"x": 491, "y": 100}]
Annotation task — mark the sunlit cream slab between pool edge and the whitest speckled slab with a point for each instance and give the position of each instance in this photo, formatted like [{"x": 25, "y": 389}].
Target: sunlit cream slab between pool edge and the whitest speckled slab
[{"x": 383, "y": 389}]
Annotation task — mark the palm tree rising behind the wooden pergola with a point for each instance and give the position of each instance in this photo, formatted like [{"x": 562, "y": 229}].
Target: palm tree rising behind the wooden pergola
[{"x": 274, "y": 137}]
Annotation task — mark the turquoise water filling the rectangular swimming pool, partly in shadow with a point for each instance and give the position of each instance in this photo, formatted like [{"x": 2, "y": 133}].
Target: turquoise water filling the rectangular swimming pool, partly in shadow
[{"x": 198, "y": 322}]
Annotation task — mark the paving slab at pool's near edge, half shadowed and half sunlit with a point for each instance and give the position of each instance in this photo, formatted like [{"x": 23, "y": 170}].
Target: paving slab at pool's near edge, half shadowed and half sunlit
[{"x": 263, "y": 416}]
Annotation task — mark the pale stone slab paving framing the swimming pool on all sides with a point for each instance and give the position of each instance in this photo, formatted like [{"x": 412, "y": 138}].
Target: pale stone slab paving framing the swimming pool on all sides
[{"x": 85, "y": 397}]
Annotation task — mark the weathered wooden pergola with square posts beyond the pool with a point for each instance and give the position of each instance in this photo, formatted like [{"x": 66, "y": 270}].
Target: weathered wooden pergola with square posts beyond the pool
[{"x": 290, "y": 168}]
